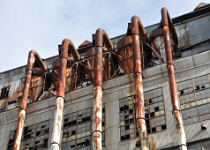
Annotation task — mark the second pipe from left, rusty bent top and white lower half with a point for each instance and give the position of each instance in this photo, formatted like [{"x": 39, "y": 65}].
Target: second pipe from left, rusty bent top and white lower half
[{"x": 60, "y": 85}]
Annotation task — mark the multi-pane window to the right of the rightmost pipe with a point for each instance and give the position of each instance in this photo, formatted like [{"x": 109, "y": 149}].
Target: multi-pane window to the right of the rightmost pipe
[{"x": 194, "y": 96}]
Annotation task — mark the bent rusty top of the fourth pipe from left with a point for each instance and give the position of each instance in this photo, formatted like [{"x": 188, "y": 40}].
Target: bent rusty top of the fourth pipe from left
[{"x": 137, "y": 26}]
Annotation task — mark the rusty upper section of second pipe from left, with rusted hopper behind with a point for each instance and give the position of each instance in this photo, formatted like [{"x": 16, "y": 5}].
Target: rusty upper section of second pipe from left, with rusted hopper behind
[{"x": 62, "y": 68}]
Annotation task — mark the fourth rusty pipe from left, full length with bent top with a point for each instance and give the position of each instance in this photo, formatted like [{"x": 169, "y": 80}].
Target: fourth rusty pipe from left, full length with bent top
[{"x": 137, "y": 30}]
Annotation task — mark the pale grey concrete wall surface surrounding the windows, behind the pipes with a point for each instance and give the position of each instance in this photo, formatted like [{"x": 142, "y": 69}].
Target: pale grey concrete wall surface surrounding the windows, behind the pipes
[{"x": 113, "y": 90}]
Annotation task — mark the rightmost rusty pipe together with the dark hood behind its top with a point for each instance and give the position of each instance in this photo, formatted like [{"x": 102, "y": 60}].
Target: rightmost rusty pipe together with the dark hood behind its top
[{"x": 167, "y": 31}]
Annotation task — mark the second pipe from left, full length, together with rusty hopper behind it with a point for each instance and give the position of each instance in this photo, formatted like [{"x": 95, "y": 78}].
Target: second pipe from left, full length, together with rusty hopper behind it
[{"x": 59, "y": 79}]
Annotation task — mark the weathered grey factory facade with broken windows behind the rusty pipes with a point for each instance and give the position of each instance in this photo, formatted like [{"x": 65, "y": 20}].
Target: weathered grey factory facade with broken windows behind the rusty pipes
[{"x": 119, "y": 129}]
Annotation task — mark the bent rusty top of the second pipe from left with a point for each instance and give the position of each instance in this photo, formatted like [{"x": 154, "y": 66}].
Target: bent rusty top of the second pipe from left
[{"x": 68, "y": 45}]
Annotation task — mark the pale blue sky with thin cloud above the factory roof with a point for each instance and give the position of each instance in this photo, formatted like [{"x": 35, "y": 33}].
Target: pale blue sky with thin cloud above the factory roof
[{"x": 43, "y": 24}]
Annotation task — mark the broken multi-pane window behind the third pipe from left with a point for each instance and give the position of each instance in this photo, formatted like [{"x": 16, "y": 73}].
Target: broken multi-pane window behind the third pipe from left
[{"x": 77, "y": 130}]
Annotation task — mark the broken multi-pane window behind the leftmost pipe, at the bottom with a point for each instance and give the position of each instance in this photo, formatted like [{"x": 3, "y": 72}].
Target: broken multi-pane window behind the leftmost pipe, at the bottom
[{"x": 34, "y": 137}]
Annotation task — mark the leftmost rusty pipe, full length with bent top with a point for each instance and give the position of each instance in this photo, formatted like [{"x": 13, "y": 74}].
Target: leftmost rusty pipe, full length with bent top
[{"x": 32, "y": 57}]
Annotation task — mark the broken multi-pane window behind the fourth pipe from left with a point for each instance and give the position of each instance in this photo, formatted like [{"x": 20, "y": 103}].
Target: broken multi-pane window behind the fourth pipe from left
[{"x": 154, "y": 114}]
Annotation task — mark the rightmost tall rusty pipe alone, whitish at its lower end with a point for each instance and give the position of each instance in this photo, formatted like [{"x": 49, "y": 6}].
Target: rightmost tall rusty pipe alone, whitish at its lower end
[{"x": 172, "y": 80}]
